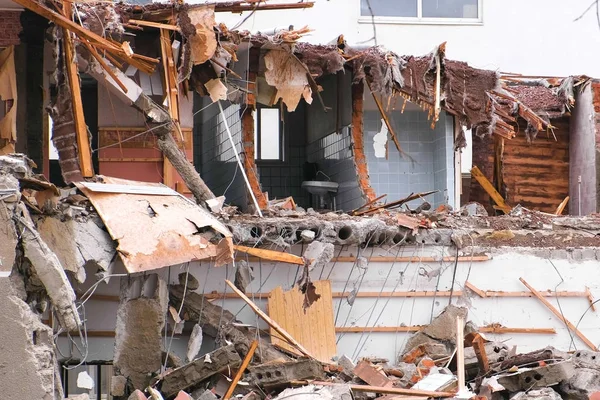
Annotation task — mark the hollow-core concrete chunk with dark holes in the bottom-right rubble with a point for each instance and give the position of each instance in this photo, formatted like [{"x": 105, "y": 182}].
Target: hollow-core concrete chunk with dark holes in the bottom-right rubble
[{"x": 534, "y": 378}]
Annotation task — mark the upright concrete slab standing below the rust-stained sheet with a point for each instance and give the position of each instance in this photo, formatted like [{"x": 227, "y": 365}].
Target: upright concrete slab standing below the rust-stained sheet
[{"x": 140, "y": 321}]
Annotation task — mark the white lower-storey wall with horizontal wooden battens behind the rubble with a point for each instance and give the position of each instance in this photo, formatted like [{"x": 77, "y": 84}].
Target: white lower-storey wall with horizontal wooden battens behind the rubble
[{"x": 500, "y": 274}]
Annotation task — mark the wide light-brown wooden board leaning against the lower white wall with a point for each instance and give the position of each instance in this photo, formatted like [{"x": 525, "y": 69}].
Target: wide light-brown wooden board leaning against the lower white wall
[{"x": 314, "y": 329}]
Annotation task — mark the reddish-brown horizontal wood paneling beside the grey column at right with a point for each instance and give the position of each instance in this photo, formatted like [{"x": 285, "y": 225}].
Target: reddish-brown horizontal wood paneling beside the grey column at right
[{"x": 536, "y": 174}]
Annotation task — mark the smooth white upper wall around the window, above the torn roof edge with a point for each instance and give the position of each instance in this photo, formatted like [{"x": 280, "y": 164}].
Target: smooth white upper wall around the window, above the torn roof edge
[{"x": 532, "y": 37}]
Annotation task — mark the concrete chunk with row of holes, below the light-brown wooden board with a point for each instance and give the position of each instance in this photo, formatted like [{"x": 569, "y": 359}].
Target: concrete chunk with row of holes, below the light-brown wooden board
[{"x": 279, "y": 373}]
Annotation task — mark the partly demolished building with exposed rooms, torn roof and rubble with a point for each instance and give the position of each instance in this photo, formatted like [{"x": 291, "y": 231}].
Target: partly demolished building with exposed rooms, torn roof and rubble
[{"x": 348, "y": 261}]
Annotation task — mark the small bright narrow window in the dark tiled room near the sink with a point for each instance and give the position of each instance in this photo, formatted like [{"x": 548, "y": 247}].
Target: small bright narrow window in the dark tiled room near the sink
[{"x": 268, "y": 135}]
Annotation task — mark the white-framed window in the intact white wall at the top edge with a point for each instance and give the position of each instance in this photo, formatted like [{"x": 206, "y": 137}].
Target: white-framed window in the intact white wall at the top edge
[{"x": 424, "y": 11}]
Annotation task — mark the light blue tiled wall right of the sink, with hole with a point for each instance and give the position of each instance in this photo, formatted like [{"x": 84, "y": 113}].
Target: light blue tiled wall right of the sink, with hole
[{"x": 427, "y": 165}]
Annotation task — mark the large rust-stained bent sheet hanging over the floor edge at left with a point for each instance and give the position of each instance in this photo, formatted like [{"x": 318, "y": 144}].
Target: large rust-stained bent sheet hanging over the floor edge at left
[{"x": 155, "y": 226}]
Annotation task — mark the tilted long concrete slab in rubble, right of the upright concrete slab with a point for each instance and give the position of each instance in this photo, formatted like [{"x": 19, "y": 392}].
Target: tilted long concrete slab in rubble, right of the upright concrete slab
[{"x": 196, "y": 372}]
